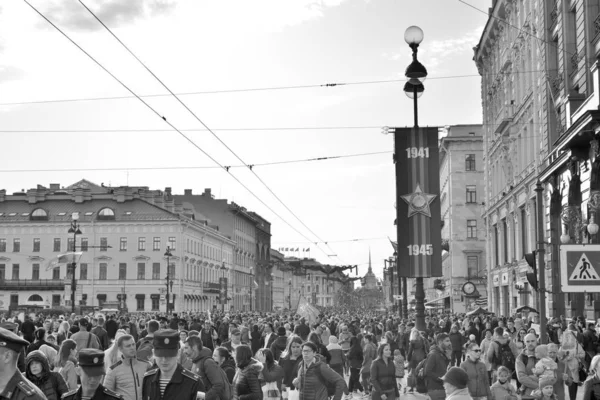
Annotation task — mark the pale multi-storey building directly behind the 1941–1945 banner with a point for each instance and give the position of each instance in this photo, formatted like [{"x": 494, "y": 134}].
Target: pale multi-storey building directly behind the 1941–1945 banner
[{"x": 463, "y": 230}]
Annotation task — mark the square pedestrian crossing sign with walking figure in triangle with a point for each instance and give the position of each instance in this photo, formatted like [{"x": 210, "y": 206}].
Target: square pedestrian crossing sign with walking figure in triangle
[{"x": 580, "y": 267}]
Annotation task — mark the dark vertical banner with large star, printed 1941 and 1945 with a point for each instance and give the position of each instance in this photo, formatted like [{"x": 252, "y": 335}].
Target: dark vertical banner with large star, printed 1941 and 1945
[{"x": 418, "y": 221}]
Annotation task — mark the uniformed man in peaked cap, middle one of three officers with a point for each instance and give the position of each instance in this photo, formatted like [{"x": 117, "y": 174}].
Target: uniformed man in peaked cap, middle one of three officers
[{"x": 91, "y": 373}]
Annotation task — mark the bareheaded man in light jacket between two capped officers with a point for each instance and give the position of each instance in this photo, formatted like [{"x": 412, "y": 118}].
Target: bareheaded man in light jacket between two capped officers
[{"x": 125, "y": 377}]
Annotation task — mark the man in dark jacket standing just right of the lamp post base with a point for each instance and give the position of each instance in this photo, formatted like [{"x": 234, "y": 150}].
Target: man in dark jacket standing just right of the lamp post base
[{"x": 436, "y": 365}]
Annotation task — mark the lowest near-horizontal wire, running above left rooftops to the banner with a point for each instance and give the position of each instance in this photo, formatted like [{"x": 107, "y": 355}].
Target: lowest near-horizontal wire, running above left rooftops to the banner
[{"x": 198, "y": 167}]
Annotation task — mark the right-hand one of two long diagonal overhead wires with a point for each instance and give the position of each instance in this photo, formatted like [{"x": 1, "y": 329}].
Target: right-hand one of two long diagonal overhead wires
[{"x": 206, "y": 126}]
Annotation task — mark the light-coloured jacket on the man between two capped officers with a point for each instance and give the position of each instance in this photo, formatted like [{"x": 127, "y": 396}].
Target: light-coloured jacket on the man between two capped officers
[{"x": 126, "y": 377}]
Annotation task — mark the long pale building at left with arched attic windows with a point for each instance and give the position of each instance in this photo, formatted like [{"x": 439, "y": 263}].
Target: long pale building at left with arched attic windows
[{"x": 125, "y": 233}]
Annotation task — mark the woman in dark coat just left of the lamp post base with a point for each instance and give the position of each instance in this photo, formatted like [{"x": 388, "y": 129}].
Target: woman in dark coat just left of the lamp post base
[{"x": 383, "y": 375}]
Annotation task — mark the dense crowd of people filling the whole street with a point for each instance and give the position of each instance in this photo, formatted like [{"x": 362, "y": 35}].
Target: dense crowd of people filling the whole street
[{"x": 339, "y": 354}]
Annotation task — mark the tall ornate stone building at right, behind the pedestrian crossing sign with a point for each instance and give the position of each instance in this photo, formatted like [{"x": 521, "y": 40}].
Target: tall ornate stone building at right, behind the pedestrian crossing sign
[{"x": 538, "y": 61}]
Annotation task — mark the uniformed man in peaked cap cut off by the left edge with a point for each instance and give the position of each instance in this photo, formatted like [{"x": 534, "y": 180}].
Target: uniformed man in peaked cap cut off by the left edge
[{"x": 13, "y": 385}]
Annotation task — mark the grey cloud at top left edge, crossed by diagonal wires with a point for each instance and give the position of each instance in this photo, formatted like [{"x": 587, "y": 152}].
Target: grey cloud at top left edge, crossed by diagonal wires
[{"x": 114, "y": 13}]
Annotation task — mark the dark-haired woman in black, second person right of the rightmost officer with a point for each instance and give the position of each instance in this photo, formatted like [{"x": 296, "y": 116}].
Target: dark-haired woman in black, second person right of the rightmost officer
[{"x": 246, "y": 385}]
